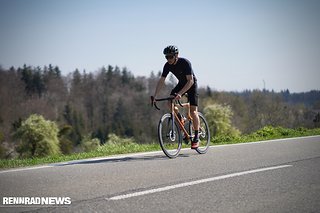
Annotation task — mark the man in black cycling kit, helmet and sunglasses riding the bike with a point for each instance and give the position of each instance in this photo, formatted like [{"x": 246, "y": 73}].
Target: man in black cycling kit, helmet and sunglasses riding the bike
[{"x": 182, "y": 70}]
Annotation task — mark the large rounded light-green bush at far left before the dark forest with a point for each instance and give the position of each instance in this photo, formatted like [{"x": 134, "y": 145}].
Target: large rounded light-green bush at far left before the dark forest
[{"x": 38, "y": 137}]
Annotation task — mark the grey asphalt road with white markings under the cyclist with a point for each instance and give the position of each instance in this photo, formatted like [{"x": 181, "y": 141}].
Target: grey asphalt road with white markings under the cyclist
[{"x": 275, "y": 176}]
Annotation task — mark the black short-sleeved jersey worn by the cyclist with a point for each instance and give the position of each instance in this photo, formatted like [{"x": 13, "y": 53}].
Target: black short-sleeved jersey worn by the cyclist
[{"x": 181, "y": 69}]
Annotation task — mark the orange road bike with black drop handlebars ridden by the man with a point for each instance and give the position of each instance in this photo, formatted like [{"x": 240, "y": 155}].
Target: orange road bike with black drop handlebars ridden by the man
[{"x": 174, "y": 127}]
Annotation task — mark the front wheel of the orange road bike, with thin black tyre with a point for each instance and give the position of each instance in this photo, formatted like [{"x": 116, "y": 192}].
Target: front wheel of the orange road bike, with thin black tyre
[{"x": 169, "y": 136}]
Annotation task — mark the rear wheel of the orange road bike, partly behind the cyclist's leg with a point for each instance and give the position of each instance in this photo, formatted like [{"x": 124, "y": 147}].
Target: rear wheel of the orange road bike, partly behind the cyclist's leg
[{"x": 204, "y": 134}]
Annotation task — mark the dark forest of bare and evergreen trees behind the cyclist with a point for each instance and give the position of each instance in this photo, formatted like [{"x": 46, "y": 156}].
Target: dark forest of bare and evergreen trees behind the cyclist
[{"x": 112, "y": 100}]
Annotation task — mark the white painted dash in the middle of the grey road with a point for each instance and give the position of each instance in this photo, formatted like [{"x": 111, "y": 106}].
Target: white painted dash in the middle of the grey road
[{"x": 166, "y": 188}]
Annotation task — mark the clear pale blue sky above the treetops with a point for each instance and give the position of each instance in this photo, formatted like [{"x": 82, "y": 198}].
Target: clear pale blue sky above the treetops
[{"x": 233, "y": 45}]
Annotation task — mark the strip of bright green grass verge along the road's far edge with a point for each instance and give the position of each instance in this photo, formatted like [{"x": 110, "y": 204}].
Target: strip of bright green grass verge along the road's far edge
[{"x": 123, "y": 146}]
